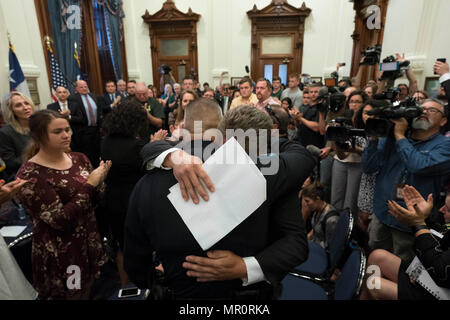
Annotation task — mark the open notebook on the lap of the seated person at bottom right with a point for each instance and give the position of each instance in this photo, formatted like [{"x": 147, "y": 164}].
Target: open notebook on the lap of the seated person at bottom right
[{"x": 418, "y": 273}]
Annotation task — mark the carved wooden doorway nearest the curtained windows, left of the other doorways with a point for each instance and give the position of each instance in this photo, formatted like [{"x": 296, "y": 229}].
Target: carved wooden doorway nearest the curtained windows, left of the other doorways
[{"x": 173, "y": 37}]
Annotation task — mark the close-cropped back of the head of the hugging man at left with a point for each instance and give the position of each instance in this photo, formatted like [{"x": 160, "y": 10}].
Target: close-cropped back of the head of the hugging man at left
[{"x": 205, "y": 110}]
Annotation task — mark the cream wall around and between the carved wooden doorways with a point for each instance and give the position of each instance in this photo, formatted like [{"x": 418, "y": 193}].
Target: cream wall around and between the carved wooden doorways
[{"x": 224, "y": 36}]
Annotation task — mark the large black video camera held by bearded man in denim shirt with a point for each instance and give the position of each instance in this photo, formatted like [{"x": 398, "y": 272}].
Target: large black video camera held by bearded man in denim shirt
[{"x": 381, "y": 126}]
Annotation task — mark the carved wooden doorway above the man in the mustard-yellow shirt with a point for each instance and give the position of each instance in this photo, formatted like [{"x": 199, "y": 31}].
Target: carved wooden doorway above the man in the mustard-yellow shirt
[{"x": 277, "y": 39}]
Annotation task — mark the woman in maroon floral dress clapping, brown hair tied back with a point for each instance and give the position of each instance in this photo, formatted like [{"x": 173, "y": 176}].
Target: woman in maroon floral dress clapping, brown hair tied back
[{"x": 62, "y": 188}]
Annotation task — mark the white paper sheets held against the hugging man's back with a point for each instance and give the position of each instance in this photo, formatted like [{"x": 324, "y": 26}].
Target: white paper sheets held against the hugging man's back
[{"x": 240, "y": 189}]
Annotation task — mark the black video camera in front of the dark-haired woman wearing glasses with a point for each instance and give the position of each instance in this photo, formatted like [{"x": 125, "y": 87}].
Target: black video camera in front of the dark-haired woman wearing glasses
[{"x": 343, "y": 133}]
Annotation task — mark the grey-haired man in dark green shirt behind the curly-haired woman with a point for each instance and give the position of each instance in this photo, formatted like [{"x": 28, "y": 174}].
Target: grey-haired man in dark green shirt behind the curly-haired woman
[{"x": 155, "y": 111}]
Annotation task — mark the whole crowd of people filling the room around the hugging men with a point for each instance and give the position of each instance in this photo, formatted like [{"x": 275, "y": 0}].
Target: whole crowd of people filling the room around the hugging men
[{"x": 92, "y": 166}]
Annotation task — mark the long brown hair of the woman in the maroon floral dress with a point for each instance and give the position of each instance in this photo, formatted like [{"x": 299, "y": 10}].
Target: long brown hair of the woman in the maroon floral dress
[{"x": 39, "y": 123}]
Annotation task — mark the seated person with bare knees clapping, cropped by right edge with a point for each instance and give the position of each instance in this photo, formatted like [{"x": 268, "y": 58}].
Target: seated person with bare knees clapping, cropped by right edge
[{"x": 434, "y": 254}]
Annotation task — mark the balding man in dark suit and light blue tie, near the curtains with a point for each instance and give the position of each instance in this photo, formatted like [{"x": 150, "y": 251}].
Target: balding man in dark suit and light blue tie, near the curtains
[{"x": 86, "y": 133}]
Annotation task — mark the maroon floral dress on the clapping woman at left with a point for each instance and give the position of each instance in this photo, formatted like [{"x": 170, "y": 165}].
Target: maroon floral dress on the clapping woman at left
[{"x": 65, "y": 235}]
